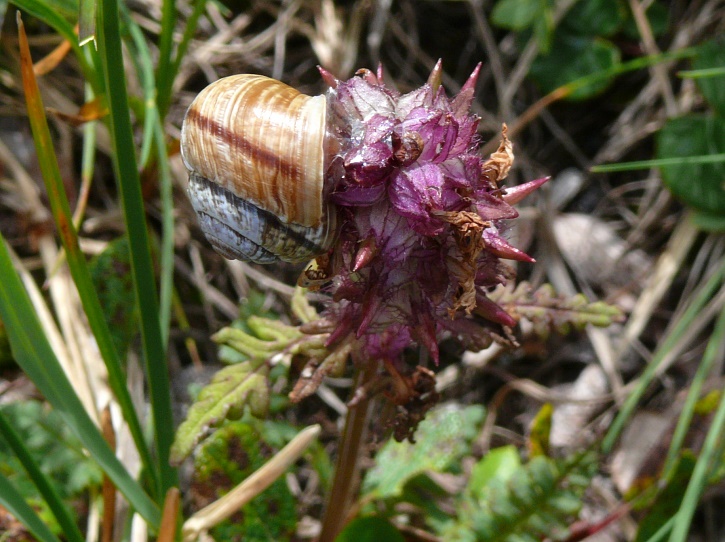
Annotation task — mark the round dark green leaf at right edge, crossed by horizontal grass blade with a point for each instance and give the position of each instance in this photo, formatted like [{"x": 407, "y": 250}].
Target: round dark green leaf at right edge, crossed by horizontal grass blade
[{"x": 700, "y": 186}]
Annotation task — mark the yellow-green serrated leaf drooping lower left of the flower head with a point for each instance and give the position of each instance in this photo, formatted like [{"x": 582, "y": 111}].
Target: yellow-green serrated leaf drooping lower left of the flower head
[{"x": 230, "y": 390}]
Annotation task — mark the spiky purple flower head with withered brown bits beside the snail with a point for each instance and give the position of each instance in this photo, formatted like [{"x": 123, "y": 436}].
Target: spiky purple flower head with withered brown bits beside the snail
[{"x": 422, "y": 216}]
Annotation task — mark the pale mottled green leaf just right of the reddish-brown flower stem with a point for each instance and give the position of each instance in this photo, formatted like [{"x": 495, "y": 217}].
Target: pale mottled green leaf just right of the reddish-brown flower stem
[{"x": 442, "y": 438}]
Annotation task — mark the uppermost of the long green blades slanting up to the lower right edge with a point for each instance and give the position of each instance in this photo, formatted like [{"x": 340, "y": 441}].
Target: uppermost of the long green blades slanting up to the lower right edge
[{"x": 701, "y": 299}]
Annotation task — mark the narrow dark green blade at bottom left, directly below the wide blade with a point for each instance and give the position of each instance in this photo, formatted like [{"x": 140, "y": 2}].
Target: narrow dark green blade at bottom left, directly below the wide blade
[{"x": 45, "y": 487}]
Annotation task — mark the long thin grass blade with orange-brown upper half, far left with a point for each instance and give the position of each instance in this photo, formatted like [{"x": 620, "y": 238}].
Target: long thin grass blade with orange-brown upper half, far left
[{"x": 75, "y": 258}]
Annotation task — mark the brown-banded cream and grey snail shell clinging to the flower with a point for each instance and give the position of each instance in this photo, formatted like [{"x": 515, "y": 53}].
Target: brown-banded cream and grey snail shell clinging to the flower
[{"x": 257, "y": 155}]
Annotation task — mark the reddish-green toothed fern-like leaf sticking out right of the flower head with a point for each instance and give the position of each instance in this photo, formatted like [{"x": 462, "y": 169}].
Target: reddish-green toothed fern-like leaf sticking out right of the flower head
[{"x": 549, "y": 311}]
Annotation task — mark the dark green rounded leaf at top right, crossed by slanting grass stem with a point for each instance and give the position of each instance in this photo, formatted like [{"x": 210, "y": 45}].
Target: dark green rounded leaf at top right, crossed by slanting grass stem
[{"x": 574, "y": 57}]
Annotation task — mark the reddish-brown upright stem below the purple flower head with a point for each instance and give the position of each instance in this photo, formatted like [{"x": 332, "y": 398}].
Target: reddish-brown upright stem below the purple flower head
[{"x": 347, "y": 468}]
